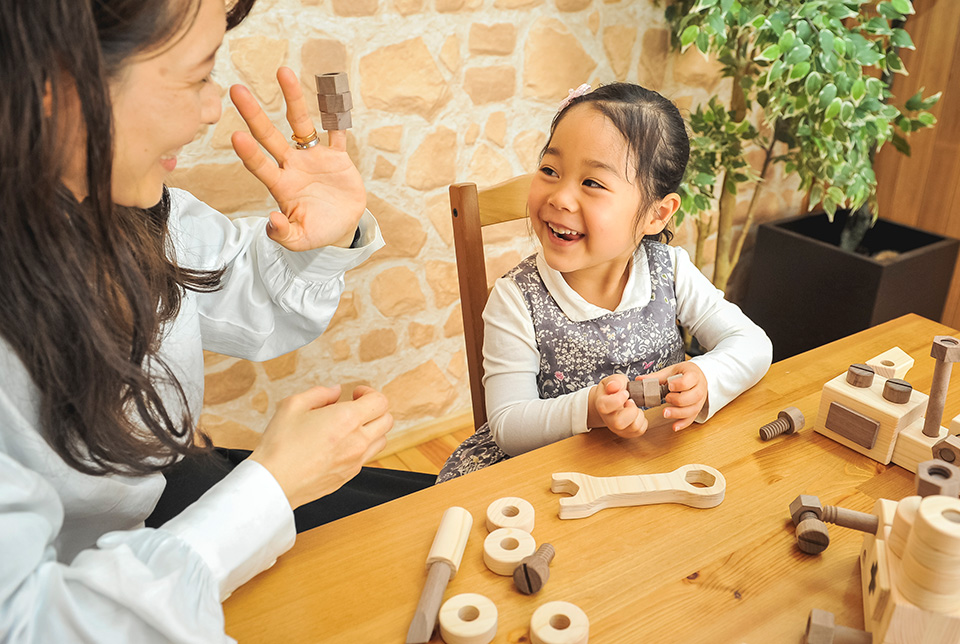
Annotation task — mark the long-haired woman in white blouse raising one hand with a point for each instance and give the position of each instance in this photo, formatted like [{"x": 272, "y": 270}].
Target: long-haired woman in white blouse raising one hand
[{"x": 112, "y": 284}]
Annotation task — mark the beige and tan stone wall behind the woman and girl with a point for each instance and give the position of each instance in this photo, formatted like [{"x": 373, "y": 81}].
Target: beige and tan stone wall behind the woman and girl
[{"x": 444, "y": 91}]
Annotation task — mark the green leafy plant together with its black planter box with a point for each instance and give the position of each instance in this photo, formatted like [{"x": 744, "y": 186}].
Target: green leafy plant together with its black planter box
[{"x": 810, "y": 87}]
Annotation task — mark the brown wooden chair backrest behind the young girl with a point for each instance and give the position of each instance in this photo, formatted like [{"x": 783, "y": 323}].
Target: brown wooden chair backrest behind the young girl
[{"x": 471, "y": 210}]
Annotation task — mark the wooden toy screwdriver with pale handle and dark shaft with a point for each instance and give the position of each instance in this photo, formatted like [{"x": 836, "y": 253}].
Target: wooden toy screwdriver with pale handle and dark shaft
[{"x": 443, "y": 561}]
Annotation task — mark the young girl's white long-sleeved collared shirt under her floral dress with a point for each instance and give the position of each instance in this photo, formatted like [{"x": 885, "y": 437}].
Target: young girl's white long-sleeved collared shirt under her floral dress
[{"x": 738, "y": 351}]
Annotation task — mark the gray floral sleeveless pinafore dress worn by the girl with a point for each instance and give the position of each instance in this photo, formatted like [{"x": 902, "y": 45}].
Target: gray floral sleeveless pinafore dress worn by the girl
[{"x": 575, "y": 355}]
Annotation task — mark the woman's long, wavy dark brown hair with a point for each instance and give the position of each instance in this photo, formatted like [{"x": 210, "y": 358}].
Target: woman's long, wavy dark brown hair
[{"x": 86, "y": 288}]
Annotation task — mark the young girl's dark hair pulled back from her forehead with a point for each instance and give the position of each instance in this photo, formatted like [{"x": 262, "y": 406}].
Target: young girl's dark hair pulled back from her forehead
[{"x": 656, "y": 137}]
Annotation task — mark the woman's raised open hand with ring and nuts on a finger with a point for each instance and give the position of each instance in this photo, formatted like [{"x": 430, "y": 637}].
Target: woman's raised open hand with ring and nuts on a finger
[{"x": 319, "y": 190}]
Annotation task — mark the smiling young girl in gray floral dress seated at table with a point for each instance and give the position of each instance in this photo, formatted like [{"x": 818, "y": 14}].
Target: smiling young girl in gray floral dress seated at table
[{"x": 598, "y": 305}]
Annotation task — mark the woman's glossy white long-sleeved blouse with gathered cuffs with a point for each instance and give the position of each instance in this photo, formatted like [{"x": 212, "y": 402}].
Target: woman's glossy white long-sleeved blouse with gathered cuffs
[{"x": 76, "y": 563}]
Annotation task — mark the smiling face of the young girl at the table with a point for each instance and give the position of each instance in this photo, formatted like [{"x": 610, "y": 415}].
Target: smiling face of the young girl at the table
[{"x": 584, "y": 203}]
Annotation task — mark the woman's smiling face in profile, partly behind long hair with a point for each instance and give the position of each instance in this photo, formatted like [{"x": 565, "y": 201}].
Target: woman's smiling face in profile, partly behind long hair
[{"x": 160, "y": 102}]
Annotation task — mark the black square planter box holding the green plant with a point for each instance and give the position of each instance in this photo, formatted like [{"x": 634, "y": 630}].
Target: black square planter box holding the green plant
[{"x": 804, "y": 291}]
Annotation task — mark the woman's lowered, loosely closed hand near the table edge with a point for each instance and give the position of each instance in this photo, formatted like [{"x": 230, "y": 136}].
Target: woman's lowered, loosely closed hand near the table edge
[{"x": 314, "y": 444}]
